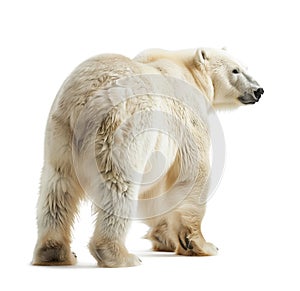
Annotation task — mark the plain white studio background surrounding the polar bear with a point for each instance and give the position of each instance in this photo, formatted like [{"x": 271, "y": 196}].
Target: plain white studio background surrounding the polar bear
[{"x": 254, "y": 216}]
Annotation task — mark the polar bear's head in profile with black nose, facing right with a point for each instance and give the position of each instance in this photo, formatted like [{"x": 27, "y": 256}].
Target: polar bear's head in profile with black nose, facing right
[{"x": 232, "y": 85}]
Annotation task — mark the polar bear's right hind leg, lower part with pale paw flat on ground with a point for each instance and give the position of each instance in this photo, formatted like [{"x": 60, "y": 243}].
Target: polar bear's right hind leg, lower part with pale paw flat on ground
[{"x": 113, "y": 219}]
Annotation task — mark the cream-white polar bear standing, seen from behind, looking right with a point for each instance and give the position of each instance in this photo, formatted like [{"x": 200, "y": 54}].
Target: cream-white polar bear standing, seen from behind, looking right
[{"x": 110, "y": 119}]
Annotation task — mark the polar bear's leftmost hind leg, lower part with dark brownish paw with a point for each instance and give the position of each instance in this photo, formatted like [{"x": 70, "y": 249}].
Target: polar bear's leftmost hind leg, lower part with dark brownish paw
[{"x": 57, "y": 206}]
